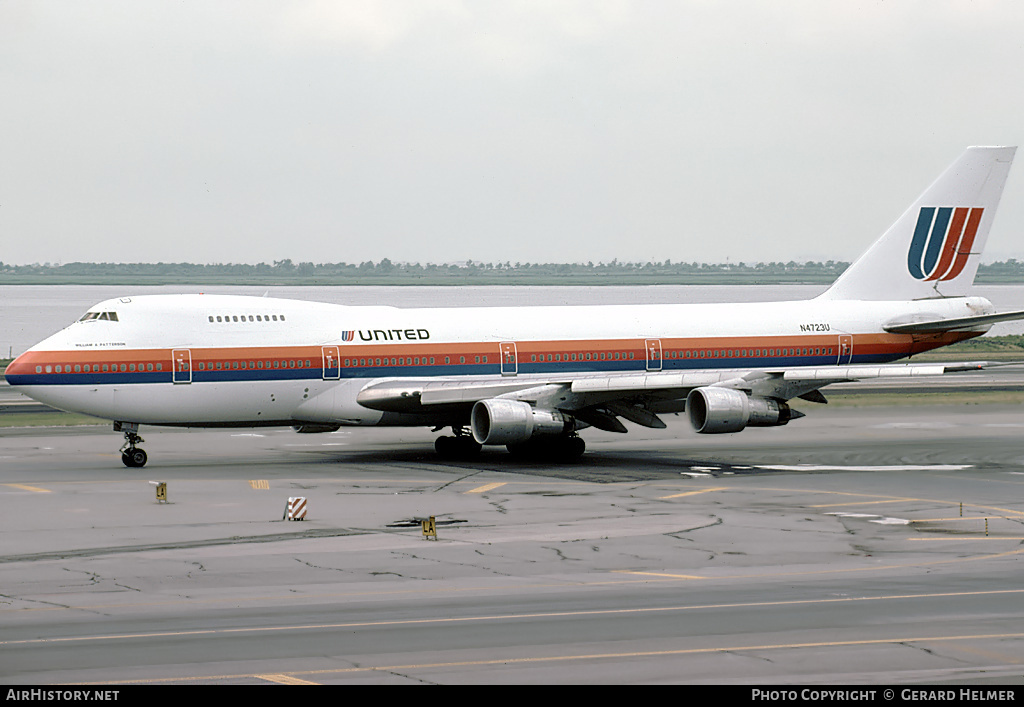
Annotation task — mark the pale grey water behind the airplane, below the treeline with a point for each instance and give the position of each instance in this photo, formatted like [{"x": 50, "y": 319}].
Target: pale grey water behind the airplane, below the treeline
[{"x": 31, "y": 313}]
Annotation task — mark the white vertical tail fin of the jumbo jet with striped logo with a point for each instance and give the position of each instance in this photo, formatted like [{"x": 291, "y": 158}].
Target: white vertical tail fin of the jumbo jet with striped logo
[{"x": 934, "y": 249}]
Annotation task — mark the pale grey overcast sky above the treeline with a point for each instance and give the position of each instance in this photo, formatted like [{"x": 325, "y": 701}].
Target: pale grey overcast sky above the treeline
[{"x": 543, "y": 132}]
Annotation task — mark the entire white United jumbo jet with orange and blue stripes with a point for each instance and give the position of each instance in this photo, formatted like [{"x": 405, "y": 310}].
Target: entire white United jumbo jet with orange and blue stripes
[{"x": 531, "y": 379}]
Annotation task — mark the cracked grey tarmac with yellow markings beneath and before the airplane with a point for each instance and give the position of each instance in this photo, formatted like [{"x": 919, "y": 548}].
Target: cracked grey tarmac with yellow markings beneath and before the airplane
[{"x": 857, "y": 547}]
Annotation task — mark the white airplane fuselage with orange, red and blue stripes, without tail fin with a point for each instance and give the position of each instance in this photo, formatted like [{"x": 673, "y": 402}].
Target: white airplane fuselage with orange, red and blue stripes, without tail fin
[{"x": 220, "y": 360}]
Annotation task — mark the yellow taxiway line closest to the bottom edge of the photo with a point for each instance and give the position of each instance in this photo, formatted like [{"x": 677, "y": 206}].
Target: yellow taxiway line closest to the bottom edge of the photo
[{"x": 507, "y": 661}]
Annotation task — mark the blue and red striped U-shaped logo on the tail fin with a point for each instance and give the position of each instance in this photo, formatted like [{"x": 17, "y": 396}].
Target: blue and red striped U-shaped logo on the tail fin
[{"x": 943, "y": 242}]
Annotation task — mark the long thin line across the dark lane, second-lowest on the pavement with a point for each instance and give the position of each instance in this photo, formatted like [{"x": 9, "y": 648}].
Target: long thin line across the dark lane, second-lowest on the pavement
[{"x": 500, "y": 617}]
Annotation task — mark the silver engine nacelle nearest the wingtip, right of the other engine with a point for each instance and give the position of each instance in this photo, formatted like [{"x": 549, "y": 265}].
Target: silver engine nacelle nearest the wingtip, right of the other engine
[{"x": 715, "y": 410}]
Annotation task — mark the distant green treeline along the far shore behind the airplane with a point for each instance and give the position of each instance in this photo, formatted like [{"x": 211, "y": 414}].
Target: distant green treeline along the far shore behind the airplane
[{"x": 387, "y": 272}]
